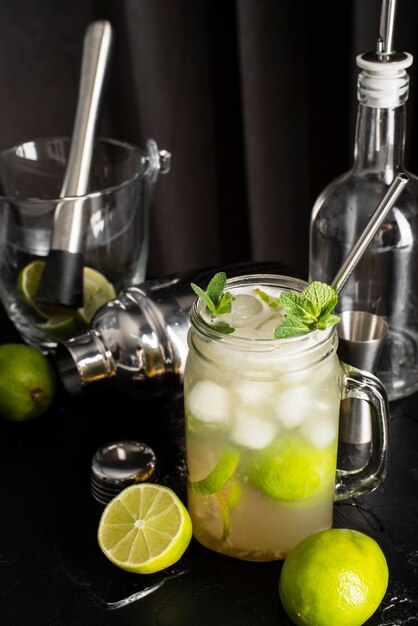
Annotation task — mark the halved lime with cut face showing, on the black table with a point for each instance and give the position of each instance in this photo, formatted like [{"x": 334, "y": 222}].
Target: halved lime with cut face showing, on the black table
[{"x": 145, "y": 529}]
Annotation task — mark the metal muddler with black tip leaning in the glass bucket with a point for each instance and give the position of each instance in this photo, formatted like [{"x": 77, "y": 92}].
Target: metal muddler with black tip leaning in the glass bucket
[{"x": 62, "y": 278}]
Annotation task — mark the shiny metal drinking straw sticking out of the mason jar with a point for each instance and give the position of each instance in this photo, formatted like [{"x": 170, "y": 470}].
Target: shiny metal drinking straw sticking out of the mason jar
[{"x": 369, "y": 232}]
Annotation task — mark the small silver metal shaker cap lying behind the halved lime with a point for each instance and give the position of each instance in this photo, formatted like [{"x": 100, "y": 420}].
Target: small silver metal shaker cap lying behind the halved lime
[{"x": 119, "y": 464}]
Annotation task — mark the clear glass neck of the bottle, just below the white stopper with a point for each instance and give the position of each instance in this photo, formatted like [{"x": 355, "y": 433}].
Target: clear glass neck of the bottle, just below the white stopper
[{"x": 380, "y": 141}]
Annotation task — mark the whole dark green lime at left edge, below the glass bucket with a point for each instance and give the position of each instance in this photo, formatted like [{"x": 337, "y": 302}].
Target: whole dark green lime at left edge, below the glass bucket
[{"x": 27, "y": 382}]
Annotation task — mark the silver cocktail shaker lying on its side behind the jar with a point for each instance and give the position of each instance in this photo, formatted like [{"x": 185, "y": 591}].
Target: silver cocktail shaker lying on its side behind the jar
[{"x": 138, "y": 342}]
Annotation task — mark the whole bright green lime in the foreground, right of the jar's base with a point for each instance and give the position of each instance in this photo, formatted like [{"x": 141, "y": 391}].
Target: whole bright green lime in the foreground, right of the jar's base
[{"x": 333, "y": 576}]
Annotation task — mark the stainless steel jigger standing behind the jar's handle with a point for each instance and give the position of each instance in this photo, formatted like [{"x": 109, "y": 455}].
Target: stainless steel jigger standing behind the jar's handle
[{"x": 361, "y": 336}]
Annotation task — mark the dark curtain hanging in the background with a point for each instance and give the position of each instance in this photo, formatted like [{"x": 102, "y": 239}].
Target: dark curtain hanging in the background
[{"x": 256, "y": 100}]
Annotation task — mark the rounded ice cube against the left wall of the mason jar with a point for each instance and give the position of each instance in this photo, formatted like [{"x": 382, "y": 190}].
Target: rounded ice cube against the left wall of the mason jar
[{"x": 209, "y": 402}]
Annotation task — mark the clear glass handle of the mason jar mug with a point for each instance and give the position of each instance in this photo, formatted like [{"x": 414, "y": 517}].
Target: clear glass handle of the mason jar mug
[{"x": 359, "y": 384}]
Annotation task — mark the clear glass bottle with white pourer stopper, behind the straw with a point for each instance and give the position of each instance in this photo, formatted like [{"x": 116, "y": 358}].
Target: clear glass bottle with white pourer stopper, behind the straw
[{"x": 385, "y": 281}]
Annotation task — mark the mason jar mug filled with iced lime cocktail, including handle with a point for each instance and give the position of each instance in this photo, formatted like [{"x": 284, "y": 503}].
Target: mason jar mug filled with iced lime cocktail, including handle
[{"x": 262, "y": 424}]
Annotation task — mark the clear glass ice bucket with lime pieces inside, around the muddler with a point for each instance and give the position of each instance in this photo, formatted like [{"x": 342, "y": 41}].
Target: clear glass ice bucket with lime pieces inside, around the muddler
[{"x": 115, "y": 237}]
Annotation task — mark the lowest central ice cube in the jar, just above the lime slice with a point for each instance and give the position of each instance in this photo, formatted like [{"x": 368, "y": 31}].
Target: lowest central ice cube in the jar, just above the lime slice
[{"x": 251, "y": 432}]
